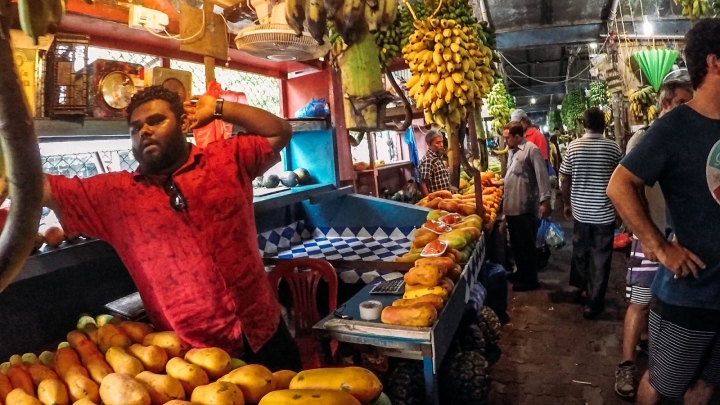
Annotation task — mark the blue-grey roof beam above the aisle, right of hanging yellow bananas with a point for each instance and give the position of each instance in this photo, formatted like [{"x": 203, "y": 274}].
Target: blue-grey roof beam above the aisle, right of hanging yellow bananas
[{"x": 537, "y": 37}]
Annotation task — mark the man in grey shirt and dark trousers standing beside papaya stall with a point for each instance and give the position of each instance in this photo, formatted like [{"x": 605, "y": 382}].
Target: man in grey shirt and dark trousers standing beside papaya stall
[{"x": 527, "y": 196}]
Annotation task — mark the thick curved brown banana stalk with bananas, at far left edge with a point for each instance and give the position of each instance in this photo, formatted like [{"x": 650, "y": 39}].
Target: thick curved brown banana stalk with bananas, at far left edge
[{"x": 18, "y": 140}]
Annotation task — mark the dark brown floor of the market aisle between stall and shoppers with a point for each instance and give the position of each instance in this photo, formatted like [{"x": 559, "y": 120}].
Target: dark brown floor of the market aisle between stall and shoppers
[{"x": 551, "y": 355}]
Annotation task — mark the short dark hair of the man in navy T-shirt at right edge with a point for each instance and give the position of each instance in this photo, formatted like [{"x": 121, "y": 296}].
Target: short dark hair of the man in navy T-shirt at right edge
[{"x": 702, "y": 40}]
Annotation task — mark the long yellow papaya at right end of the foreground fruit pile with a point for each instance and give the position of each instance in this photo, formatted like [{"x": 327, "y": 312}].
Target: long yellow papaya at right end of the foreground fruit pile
[{"x": 356, "y": 381}]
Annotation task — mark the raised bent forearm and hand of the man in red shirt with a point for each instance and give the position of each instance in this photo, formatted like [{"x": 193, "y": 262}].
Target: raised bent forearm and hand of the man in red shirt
[{"x": 256, "y": 121}]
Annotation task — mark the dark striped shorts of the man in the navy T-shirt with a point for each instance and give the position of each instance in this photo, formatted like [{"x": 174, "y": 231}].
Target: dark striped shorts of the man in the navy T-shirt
[{"x": 683, "y": 347}]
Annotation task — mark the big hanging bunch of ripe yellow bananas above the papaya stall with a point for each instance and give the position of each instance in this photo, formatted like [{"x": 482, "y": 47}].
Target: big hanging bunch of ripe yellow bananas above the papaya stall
[{"x": 450, "y": 70}]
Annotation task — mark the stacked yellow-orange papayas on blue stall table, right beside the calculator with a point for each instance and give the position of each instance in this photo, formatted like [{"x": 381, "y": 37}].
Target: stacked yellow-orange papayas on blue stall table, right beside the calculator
[{"x": 427, "y": 286}]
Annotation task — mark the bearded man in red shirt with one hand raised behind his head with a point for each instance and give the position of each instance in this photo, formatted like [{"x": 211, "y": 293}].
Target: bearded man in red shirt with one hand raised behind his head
[{"x": 183, "y": 223}]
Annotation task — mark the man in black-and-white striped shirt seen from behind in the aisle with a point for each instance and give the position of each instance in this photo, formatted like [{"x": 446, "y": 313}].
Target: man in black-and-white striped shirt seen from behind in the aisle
[{"x": 585, "y": 172}]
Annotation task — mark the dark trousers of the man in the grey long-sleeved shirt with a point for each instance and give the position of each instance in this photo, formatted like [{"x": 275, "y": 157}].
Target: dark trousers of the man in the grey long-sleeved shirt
[{"x": 523, "y": 231}]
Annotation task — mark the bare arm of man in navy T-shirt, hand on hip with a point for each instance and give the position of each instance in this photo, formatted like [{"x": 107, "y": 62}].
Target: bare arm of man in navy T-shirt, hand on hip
[{"x": 622, "y": 190}]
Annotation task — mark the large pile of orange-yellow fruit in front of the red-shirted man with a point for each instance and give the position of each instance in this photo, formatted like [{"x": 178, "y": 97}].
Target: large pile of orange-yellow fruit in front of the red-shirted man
[{"x": 114, "y": 362}]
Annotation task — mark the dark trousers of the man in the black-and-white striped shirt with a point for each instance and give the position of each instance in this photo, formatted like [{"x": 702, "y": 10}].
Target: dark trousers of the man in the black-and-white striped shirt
[{"x": 591, "y": 261}]
